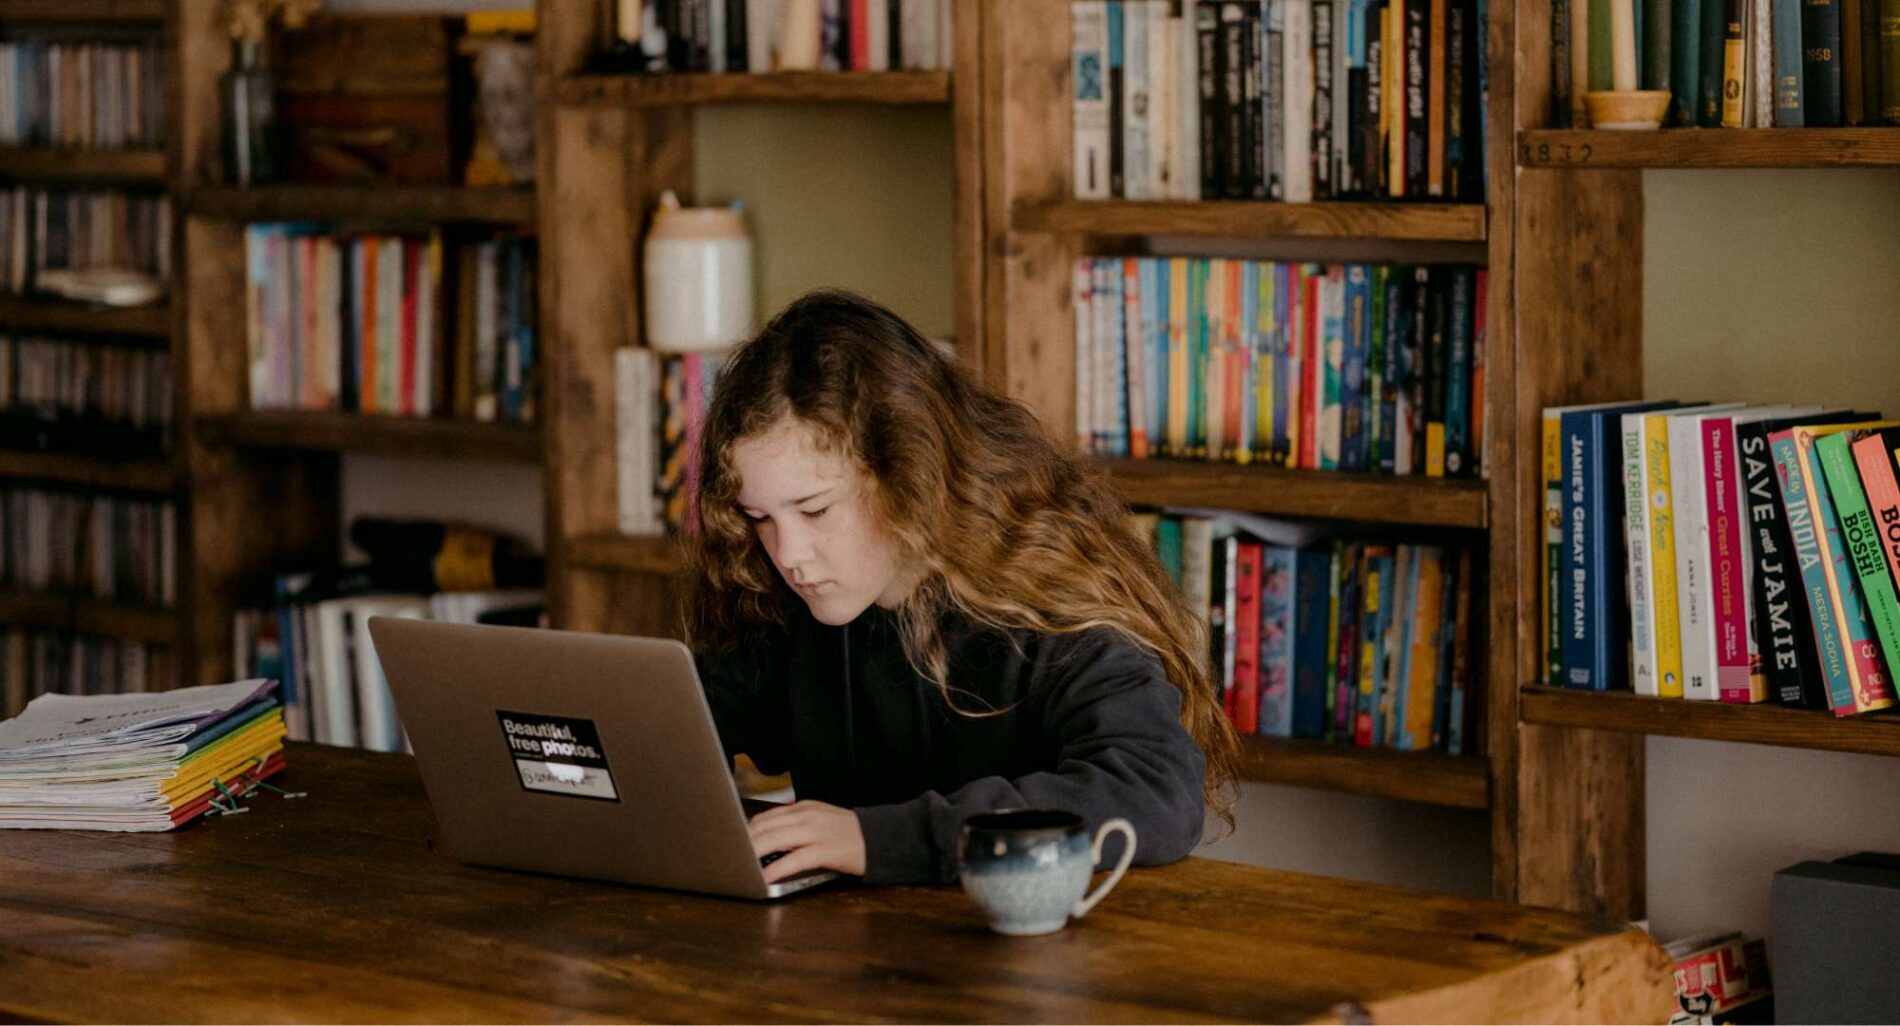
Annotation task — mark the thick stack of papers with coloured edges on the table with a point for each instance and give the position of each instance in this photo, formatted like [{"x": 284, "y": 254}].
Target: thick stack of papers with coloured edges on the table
[{"x": 136, "y": 763}]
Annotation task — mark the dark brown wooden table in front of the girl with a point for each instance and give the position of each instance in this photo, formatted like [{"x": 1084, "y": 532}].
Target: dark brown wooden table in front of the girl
[{"x": 335, "y": 907}]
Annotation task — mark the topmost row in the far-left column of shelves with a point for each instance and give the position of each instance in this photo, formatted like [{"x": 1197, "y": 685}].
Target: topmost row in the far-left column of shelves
[{"x": 98, "y": 96}]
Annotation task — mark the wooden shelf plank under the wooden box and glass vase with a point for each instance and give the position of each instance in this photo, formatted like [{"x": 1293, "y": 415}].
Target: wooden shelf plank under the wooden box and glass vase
[{"x": 366, "y": 202}]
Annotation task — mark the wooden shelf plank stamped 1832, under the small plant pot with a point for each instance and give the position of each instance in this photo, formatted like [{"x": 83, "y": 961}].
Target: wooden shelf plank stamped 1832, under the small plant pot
[{"x": 1865, "y": 147}]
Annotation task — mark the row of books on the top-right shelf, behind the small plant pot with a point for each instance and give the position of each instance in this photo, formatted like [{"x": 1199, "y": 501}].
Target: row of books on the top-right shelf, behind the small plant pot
[{"x": 1734, "y": 64}]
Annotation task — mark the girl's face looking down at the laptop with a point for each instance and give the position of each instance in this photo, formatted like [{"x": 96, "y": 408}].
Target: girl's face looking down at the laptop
[{"x": 812, "y": 514}]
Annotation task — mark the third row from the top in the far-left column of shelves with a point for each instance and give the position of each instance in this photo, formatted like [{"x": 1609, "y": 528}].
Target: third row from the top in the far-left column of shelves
[{"x": 83, "y": 396}]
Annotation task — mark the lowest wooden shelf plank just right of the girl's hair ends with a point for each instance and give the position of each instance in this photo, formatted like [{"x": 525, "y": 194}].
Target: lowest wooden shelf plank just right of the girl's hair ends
[{"x": 1430, "y": 778}]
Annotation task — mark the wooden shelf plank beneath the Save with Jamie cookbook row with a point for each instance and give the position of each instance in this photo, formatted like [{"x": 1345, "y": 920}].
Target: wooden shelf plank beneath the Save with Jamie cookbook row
[{"x": 1713, "y": 721}]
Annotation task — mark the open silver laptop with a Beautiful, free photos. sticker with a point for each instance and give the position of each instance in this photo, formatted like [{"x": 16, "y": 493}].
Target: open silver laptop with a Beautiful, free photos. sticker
[{"x": 569, "y": 753}]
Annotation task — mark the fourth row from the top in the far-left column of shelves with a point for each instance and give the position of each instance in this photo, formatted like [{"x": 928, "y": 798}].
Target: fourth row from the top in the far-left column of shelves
[{"x": 100, "y": 546}]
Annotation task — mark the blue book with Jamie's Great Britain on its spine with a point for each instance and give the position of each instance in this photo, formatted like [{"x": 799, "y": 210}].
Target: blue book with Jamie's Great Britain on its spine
[{"x": 1595, "y": 622}]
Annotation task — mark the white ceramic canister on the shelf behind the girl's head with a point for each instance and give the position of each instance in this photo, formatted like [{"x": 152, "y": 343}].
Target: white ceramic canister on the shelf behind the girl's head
[{"x": 698, "y": 278}]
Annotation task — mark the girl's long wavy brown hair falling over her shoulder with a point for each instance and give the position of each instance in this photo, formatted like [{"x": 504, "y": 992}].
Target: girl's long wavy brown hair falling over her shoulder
[{"x": 1012, "y": 531}]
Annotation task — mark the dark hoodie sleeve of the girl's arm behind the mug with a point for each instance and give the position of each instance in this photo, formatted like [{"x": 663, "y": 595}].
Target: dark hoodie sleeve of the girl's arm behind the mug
[{"x": 1116, "y": 750}]
